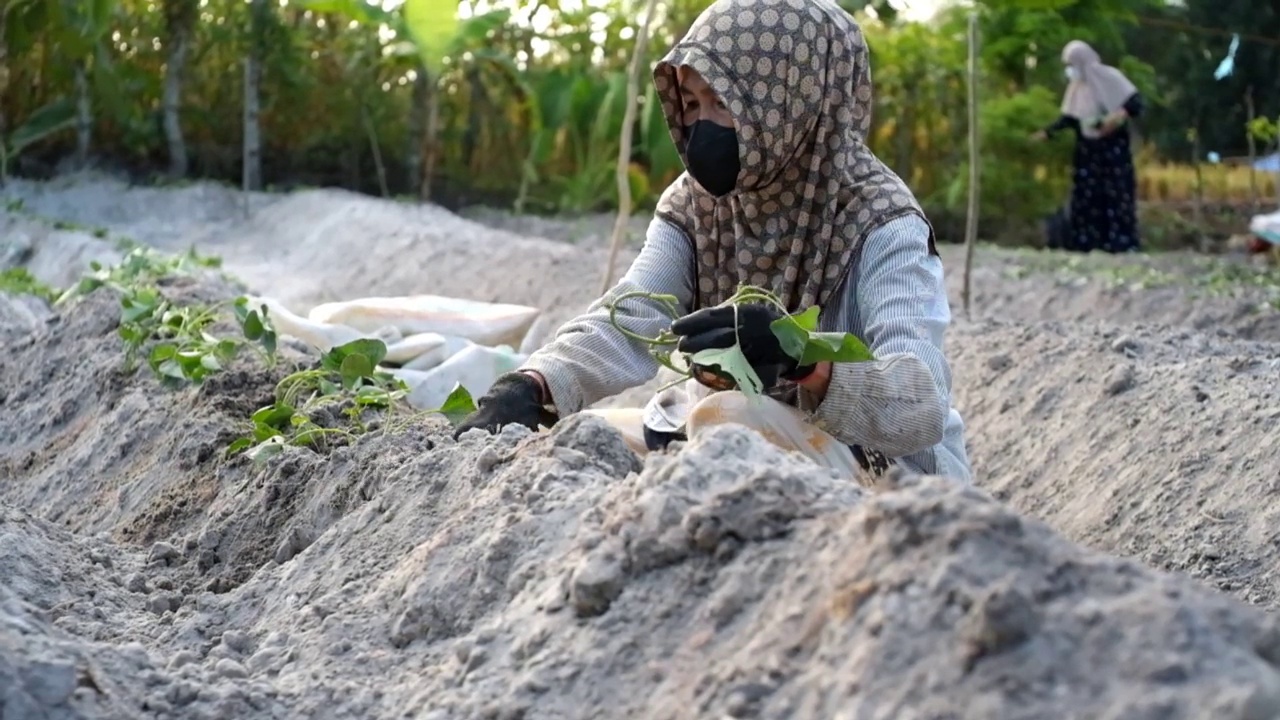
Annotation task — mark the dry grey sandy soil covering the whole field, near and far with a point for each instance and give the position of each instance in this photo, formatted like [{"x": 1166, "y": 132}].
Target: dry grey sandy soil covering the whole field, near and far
[{"x": 1118, "y": 558}]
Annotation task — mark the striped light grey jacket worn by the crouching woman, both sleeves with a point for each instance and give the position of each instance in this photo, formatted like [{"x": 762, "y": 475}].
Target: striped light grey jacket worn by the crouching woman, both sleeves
[{"x": 894, "y": 299}]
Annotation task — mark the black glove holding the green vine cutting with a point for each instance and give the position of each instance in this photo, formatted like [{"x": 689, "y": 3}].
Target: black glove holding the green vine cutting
[{"x": 714, "y": 329}]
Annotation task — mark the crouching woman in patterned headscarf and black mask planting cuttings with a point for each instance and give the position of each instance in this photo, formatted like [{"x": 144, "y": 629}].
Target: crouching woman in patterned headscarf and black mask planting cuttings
[{"x": 769, "y": 103}]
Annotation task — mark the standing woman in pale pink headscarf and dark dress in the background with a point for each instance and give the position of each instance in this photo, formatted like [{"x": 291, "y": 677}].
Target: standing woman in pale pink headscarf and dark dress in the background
[{"x": 1098, "y": 103}]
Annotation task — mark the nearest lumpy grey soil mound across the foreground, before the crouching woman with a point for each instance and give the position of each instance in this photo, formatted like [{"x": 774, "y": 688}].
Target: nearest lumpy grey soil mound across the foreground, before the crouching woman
[{"x": 546, "y": 578}]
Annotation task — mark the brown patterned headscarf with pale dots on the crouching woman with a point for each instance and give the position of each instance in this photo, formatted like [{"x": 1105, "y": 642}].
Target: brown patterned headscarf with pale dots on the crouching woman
[{"x": 796, "y": 78}]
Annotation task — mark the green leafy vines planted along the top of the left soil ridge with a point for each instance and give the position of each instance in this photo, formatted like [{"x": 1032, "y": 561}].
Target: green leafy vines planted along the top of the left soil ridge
[{"x": 180, "y": 347}]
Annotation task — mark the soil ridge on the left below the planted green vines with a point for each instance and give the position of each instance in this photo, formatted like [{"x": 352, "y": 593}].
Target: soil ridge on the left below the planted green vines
[{"x": 103, "y": 450}]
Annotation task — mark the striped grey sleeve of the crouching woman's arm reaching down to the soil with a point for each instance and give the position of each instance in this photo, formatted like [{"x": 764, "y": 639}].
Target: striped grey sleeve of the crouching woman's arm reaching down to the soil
[{"x": 589, "y": 359}]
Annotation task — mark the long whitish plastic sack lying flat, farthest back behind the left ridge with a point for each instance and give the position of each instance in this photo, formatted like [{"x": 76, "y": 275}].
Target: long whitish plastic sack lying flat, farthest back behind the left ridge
[{"x": 484, "y": 323}]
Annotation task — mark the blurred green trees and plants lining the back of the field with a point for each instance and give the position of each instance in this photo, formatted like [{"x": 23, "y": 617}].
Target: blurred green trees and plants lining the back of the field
[{"x": 520, "y": 103}]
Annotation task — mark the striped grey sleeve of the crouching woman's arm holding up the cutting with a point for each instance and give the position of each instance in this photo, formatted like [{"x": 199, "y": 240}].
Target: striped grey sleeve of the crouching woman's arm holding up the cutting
[{"x": 899, "y": 403}]
